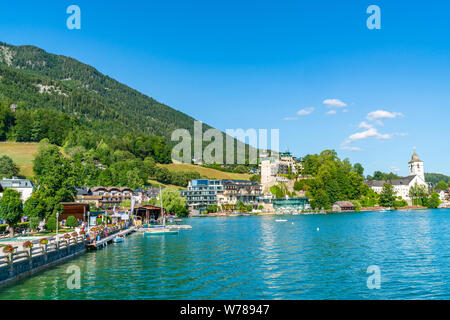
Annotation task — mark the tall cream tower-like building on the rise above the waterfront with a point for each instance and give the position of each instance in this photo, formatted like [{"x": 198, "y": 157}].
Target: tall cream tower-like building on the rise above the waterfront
[{"x": 275, "y": 169}]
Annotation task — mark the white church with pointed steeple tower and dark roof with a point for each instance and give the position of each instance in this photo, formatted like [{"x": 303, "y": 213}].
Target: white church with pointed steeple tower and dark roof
[{"x": 403, "y": 185}]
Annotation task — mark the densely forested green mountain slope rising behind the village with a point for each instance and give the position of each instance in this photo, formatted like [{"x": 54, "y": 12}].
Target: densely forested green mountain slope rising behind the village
[{"x": 33, "y": 78}]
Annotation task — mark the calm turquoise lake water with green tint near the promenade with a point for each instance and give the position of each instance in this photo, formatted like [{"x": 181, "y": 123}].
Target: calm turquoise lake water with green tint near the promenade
[{"x": 258, "y": 258}]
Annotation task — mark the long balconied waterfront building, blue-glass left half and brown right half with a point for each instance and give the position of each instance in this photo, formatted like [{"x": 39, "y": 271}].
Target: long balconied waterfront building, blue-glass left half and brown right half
[{"x": 202, "y": 193}]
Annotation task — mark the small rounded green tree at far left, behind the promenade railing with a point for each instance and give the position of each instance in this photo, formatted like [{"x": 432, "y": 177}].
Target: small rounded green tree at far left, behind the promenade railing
[{"x": 11, "y": 208}]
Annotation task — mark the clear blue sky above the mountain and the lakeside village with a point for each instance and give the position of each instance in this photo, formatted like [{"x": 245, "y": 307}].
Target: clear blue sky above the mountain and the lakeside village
[{"x": 257, "y": 64}]
